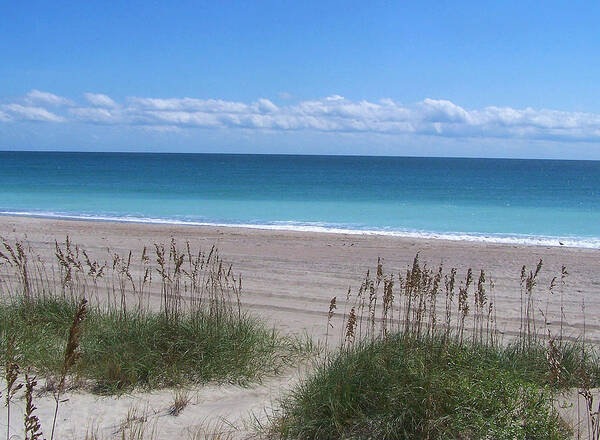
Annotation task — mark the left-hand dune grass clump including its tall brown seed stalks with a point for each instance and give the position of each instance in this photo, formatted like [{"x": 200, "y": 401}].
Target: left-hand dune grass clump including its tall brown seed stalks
[{"x": 199, "y": 333}]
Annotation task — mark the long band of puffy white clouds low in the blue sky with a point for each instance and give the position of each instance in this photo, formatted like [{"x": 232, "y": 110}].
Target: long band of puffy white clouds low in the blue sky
[{"x": 331, "y": 114}]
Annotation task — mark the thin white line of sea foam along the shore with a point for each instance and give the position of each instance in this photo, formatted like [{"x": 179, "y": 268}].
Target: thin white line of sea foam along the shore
[{"x": 518, "y": 239}]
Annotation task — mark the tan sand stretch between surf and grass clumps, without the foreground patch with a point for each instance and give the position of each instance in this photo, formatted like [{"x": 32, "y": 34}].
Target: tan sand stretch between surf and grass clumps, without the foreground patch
[{"x": 289, "y": 277}]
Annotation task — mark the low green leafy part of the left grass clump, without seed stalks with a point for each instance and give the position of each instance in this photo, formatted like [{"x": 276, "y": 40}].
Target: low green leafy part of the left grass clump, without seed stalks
[{"x": 119, "y": 351}]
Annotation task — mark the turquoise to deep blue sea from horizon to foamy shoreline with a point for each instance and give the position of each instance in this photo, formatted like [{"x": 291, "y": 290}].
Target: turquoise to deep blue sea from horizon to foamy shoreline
[{"x": 501, "y": 200}]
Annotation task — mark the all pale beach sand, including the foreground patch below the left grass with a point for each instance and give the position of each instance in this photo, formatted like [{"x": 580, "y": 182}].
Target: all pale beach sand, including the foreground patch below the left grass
[{"x": 289, "y": 278}]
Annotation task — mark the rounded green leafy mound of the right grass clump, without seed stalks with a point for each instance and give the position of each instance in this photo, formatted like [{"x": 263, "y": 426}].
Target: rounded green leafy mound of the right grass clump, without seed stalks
[{"x": 403, "y": 387}]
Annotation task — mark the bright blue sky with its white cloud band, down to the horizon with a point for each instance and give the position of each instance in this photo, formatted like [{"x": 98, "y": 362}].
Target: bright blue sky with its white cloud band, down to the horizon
[{"x": 475, "y": 79}]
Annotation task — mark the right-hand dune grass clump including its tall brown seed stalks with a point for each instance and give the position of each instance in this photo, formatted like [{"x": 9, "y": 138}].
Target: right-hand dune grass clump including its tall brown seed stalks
[{"x": 409, "y": 366}]
